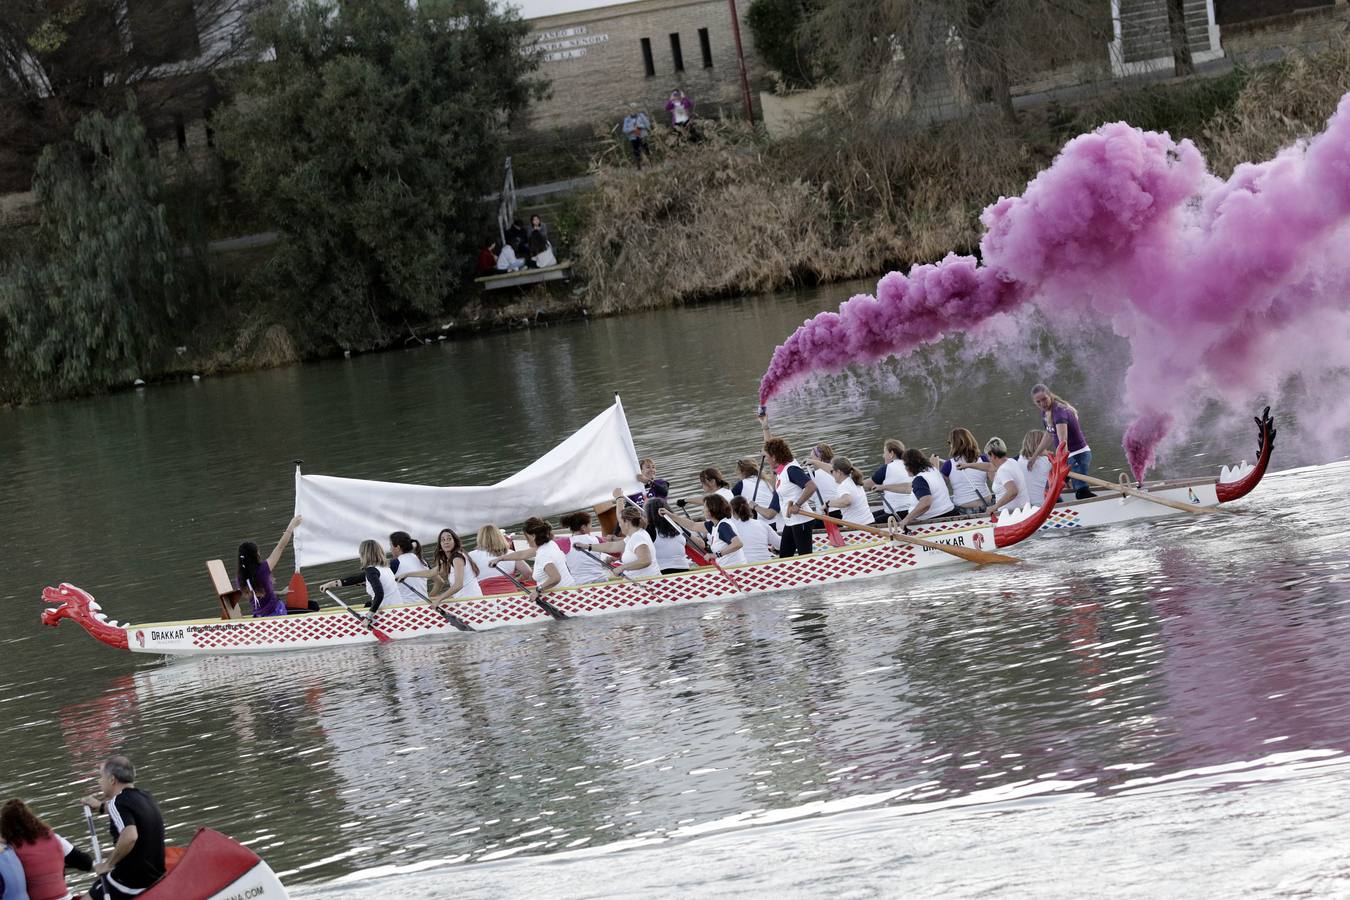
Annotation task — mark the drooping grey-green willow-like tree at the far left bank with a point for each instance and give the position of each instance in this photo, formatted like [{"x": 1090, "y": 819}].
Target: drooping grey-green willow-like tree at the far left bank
[{"x": 91, "y": 304}]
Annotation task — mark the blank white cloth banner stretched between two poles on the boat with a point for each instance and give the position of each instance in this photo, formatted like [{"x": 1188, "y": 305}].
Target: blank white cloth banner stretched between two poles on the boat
[{"x": 580, "y": 473}]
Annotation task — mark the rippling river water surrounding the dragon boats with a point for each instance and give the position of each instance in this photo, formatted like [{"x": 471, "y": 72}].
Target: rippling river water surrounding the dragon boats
[{"x": 1156, "y": 709}]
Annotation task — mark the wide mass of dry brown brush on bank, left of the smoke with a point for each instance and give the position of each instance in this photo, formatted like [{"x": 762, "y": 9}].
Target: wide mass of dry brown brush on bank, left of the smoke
[{"x": 731, "y": 215}]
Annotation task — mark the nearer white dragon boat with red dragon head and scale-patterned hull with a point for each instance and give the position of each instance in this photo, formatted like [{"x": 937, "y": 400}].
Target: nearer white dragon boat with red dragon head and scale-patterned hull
[{"x": 340, "y": 627}]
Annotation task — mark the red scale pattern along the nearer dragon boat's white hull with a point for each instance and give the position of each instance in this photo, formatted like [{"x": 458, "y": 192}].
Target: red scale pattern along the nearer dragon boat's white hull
[{"x": 593, "y": 600}]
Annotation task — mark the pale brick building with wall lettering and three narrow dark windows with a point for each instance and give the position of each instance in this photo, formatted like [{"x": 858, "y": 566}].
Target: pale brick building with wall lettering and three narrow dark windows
[{"x": 603, "y": 60}]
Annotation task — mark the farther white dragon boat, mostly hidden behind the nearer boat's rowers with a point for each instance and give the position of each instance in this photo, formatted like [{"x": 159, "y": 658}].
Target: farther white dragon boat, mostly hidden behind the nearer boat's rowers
[{"x": 1114, "y": 508}]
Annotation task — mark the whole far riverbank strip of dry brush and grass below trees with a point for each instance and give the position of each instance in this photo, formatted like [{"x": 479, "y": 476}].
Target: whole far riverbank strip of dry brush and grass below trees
[{"x": 738, "y": 215}]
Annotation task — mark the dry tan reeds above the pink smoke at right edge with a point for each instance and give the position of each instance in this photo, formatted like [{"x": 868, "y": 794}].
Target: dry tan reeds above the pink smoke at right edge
[{"x": 1279, "y": 106}]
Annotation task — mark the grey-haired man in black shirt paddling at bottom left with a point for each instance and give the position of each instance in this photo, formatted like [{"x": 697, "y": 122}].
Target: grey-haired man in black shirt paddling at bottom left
[{"x": 137, "y": 860}]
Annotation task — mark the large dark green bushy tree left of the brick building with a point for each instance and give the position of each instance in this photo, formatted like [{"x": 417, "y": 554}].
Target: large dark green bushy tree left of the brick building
[{"x": 368, "y": 140}]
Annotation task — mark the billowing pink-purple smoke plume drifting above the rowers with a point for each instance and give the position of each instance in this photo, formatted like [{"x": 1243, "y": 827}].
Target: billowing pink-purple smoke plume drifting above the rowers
[{"x": 1218, "y": 287}]
